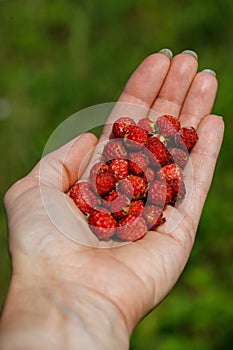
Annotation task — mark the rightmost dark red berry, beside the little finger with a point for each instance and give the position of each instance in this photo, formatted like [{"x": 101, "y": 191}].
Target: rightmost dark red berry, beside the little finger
[{"x": 186, "y": 138}]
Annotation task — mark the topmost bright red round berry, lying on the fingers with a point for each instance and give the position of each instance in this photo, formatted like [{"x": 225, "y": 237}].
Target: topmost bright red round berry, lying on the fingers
[{"x": 167, "y": 125}]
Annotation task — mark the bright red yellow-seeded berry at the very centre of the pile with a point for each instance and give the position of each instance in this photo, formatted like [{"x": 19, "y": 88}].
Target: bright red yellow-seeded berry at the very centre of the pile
[{"x": 133, "y": 187}]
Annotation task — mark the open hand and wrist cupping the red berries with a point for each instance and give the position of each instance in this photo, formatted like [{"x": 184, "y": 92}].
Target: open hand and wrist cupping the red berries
[{"x": 63, "y": 294}]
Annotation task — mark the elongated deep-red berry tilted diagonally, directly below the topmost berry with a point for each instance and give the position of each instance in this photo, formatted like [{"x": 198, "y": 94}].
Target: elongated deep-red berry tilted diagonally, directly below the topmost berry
[{"x": 158, "y": 150}]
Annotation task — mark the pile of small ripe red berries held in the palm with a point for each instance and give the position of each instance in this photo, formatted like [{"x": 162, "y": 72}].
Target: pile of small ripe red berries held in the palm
[{"x": 140, "y": 172}]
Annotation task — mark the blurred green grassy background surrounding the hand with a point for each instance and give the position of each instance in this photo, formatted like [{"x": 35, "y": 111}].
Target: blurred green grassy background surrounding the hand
[{"x": 60, "y": 56}]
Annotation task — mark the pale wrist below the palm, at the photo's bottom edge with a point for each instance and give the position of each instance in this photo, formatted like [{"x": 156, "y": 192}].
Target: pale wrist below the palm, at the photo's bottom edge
[{"x": 42, "y": 314}]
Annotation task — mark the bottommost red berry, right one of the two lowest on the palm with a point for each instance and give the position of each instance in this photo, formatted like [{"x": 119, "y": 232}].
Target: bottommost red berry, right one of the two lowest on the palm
[{"x": 131, "y": 228}]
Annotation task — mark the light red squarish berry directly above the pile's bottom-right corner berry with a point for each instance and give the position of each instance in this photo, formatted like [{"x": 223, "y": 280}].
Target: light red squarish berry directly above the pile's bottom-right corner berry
[{"x": 157, "y": 193}]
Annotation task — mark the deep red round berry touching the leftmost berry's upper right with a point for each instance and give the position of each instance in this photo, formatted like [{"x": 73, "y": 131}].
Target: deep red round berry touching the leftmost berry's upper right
[{"x": 104, "y": 183}]
